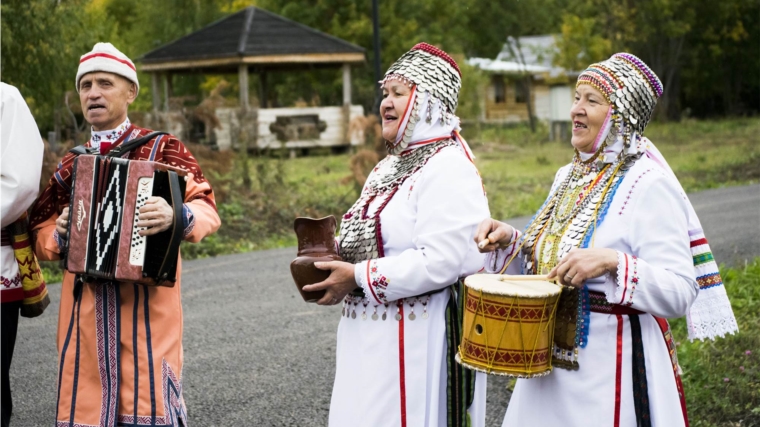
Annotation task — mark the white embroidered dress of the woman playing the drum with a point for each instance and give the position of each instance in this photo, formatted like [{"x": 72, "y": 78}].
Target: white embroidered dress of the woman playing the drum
[{"x": 647, "y": 223}]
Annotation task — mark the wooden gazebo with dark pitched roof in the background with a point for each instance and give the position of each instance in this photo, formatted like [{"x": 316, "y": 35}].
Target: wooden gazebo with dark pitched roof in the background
[{"x": 258, "y": 41}]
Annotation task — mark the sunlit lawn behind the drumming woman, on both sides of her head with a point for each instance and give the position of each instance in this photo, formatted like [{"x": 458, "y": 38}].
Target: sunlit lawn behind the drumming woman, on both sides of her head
[{"x": 518, "y": 167}]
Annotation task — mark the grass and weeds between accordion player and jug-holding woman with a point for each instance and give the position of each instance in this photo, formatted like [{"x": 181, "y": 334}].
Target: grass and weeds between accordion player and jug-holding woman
[{"x": 262, "y": 217}]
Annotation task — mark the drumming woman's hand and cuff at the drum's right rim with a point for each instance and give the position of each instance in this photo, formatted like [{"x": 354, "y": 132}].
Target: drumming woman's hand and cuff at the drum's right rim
[{"x": 580, "y": 265}]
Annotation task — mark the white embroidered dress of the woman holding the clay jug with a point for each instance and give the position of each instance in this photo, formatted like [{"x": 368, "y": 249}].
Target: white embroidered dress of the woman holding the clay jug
[{"x": 393, "y": 372}]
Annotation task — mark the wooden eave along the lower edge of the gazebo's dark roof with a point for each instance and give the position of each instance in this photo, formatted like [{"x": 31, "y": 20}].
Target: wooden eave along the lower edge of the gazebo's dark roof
[{"x": 258, "y": 60}]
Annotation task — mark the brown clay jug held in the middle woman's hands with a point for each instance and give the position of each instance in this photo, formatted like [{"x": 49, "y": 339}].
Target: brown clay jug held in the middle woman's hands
[{"x": 316, "y": 243}]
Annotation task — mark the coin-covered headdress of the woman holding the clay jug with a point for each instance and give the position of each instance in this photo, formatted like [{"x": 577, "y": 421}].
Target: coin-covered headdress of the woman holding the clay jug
[{"x": 436, "y": 80}]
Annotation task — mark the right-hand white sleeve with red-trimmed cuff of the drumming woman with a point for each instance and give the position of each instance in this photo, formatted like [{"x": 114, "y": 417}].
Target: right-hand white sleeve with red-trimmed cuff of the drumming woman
[{"x": 658, "y": 277}]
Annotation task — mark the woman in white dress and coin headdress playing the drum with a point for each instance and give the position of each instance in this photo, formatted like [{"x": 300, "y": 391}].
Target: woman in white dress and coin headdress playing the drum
[{"x": 618, "y": 231}]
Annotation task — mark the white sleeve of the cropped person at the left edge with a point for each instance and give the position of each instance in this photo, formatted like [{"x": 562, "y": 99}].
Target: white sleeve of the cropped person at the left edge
[{"x": 21, "y": 151}]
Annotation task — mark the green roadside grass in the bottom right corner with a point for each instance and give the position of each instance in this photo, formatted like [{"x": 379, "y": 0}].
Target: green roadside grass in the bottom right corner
[{"x": 722, "y": 378}]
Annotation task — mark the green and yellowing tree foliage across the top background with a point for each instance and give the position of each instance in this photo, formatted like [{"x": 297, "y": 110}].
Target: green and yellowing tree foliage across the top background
[{"x": 706, "y": 53}]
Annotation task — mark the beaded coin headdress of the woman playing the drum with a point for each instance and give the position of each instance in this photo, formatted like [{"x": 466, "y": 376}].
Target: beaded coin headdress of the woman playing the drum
[{"x": 629, "y": 85}]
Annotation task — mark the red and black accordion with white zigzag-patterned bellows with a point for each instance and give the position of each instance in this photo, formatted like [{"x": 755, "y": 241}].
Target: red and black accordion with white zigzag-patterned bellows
[{"x": 104, "y": 241}]
